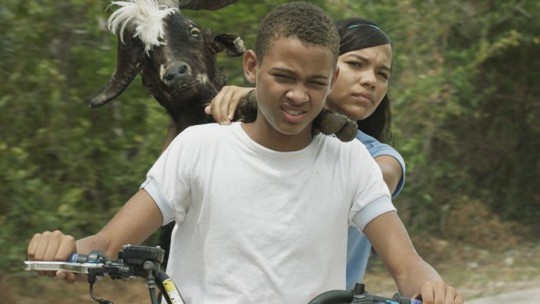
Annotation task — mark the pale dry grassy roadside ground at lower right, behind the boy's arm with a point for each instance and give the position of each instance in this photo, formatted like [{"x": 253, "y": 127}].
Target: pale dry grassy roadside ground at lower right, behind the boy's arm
[{"x": 476, "y": 272}]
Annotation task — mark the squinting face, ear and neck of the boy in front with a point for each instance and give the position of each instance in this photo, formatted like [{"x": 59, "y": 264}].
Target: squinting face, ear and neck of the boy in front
[{"x": 292, "y": 83}]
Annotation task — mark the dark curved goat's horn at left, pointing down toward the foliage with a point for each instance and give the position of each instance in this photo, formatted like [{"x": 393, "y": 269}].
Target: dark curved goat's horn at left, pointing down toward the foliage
[{"x": 128, "y": 56}]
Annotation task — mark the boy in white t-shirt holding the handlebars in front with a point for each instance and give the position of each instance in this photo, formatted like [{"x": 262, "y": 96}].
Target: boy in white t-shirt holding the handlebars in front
[{"x": 262, "y": 208}]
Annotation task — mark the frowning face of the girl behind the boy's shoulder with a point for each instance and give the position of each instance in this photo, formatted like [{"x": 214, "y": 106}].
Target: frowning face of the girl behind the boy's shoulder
[{"x": 362, "y": 82}]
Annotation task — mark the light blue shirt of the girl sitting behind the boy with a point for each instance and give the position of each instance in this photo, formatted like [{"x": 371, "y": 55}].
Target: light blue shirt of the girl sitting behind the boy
[{"x": 358, "y": 246}]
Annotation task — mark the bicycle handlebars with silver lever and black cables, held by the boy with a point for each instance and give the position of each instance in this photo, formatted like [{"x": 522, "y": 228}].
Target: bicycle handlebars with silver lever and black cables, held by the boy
[{"x": 145, "y": 262}]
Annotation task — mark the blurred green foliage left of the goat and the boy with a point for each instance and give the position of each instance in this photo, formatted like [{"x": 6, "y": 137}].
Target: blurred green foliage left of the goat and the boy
[{"x": 65, "y": 165}]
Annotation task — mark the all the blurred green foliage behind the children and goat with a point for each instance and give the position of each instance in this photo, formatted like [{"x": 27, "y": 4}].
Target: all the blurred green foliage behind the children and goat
[{"x": 464, "y": 94}]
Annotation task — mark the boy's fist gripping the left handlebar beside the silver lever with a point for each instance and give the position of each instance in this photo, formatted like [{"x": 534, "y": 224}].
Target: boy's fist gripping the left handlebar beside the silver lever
[{"x": 52, "y": 246}]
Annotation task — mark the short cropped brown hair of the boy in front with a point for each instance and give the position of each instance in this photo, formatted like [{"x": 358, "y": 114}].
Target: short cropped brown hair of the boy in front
[{"x": 301, "y": 20}]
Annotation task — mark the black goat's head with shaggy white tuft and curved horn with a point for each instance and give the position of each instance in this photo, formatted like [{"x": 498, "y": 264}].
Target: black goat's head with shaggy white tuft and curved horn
[{"x": 175, "y": 56}]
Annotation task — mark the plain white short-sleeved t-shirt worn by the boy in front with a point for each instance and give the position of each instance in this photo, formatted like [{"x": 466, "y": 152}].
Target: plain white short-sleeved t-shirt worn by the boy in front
[{"x": 259, "y": 226}]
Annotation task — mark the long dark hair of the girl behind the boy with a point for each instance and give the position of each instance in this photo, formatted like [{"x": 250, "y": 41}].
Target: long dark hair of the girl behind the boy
[{"x": 356, "y": 34}]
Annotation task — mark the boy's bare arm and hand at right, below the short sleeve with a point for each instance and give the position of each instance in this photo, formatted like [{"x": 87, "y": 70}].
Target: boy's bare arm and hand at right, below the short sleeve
[{"x": 411, "y": 273}]
